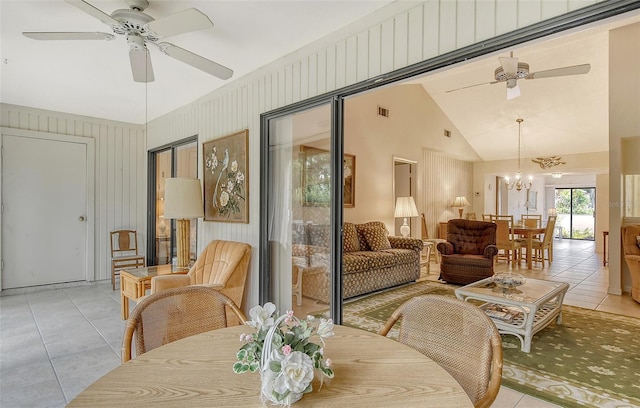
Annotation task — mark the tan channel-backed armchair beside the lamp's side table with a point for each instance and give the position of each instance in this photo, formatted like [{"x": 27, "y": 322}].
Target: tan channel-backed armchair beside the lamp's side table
[{"x": 222, "y": 265}]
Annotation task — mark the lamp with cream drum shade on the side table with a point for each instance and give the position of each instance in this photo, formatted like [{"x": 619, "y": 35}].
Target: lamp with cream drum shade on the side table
[{"x": 183, "y": 201}]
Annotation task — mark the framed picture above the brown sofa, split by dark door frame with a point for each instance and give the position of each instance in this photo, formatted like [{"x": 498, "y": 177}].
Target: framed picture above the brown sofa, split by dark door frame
[{"x": 316, "y": 181}]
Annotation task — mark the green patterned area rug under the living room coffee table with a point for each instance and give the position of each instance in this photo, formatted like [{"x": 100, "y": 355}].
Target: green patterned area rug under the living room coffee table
[{"x": 591, "y": 360}]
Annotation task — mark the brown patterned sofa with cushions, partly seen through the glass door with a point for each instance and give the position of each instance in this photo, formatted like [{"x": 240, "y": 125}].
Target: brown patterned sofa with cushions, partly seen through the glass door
[{"x": 372, "y": 260}]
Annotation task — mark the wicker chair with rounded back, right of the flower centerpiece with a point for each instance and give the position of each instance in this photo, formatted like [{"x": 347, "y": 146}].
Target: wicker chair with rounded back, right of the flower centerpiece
[{"x": 459, "y": 337}]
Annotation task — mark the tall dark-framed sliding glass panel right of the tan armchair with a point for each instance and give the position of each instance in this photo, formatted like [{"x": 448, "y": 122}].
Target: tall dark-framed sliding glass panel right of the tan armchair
[{"x": 301, "y": 271}]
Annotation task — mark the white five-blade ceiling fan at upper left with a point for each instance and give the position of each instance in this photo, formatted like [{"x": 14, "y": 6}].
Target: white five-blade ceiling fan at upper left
[{"x": 141, "y": 29}]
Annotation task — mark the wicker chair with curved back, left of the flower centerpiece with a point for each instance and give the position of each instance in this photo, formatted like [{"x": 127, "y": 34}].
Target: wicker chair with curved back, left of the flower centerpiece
[{"x": 173, "y": 314}]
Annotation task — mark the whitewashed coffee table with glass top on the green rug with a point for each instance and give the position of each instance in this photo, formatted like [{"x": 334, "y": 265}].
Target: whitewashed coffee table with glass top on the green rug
[{"x": 522, "y": 311}]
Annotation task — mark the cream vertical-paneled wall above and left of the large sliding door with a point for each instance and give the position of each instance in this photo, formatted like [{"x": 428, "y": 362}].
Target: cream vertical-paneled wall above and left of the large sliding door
[{"x": 361, "y": 51}]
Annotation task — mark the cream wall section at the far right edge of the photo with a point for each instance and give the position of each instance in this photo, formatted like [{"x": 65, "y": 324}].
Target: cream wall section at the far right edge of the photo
[{"x": 624, "y": 122}]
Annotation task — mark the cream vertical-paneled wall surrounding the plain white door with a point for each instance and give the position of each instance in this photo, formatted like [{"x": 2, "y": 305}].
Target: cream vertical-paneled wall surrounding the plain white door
[{"x": 120, "y": 171}]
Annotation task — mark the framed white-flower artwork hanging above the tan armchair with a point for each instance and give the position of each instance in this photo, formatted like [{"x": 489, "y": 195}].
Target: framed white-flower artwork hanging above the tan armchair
[{"x": 226, "y": 165}]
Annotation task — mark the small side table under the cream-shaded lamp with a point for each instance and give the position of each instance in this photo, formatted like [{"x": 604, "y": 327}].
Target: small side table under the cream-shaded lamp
[{"x": 134, "y": 282}]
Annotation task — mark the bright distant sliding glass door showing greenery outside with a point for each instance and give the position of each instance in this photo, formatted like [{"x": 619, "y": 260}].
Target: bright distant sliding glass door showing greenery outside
[{"x": 576, "y": 212}]
